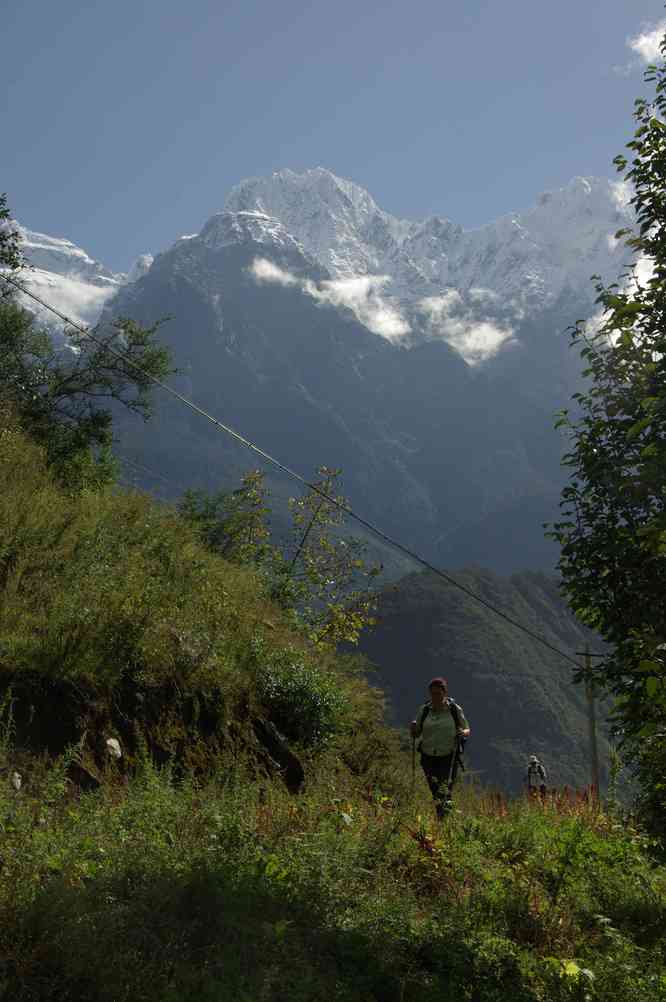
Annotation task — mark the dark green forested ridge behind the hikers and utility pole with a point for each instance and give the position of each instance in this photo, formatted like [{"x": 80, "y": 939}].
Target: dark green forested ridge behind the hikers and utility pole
[{"x": 518, "y": 696}]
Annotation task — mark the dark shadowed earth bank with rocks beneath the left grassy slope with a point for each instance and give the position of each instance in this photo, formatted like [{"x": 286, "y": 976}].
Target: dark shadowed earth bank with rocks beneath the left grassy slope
[{"x": 110, "y": 733}]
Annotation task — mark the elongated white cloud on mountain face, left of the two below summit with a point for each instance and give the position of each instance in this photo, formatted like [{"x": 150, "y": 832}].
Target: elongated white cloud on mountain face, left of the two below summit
[{"x": 362, "y": 295}]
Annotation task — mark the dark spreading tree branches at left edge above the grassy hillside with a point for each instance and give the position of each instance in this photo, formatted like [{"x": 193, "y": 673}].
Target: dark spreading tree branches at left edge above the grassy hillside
[{"x": 63, "y": 389}]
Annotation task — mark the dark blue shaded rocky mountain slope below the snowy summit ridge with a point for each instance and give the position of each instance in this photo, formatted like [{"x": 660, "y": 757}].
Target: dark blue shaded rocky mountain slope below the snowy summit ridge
[{"x": 428, "y": 447}]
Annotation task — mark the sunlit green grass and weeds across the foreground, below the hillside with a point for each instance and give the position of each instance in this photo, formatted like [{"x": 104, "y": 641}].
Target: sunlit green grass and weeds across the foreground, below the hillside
[{"x": 231, "y": 889}]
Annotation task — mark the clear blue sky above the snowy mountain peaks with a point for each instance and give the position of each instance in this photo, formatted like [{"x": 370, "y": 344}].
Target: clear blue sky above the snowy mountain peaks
[{"x": 125, "y": 125}]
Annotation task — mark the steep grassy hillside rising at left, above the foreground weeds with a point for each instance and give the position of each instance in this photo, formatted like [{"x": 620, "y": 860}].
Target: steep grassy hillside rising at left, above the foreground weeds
[{"x": 117, "y": 622}]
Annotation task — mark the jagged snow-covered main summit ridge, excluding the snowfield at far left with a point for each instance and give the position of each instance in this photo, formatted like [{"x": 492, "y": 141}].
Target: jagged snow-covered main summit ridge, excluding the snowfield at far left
[{"x": 526, "y": 260}]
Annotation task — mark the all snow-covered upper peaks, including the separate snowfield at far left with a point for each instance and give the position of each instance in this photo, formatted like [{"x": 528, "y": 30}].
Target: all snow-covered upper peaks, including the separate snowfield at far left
[{"x": 406, "y": 281}]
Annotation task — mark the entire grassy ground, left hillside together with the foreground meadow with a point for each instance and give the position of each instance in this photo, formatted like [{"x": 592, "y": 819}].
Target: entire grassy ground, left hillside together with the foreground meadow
[{"x": 187, "y": 869}]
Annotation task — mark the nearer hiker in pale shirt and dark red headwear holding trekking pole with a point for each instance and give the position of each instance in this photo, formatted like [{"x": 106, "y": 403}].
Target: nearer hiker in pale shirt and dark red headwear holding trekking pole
[{"x": 442, "y": 728}]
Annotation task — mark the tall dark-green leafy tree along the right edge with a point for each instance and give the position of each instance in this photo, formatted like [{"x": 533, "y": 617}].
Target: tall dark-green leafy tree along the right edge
[{"x": 613, "y": 528}]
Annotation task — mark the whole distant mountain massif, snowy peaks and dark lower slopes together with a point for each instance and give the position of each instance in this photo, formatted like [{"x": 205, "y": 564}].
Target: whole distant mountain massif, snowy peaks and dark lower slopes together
[{"x": 424, "y": 360}]
